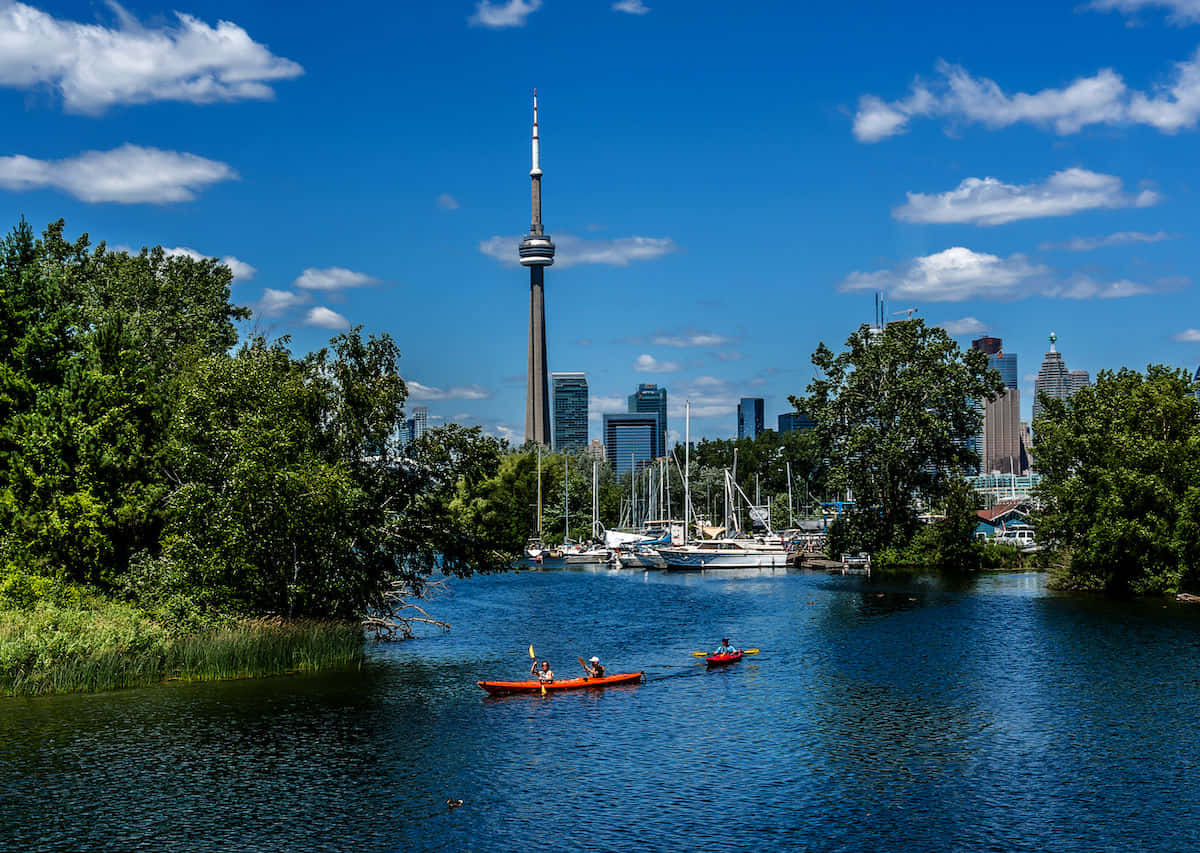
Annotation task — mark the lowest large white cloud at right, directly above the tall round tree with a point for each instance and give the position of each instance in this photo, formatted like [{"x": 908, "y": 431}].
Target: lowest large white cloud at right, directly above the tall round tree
[{"x": 958, "y": 275}]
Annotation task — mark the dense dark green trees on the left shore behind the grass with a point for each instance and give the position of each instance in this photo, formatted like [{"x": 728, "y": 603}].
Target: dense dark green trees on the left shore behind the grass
[{"x": 149, "y": 455}]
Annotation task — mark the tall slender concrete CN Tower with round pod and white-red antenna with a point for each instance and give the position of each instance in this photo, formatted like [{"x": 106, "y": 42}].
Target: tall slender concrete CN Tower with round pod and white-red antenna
[{"x": 537, "y": 253}]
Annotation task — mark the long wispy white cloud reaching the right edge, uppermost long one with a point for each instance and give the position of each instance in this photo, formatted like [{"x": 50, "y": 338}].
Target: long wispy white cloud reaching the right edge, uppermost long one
[{"x": 1102, "y": 99}]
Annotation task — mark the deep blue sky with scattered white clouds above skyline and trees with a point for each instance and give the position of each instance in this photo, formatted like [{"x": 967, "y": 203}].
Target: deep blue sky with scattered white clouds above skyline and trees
[{"x": 729, "y": 184}]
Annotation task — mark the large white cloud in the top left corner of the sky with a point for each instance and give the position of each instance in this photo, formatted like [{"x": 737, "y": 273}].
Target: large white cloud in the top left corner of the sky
[{"x": 95, "y": 68}]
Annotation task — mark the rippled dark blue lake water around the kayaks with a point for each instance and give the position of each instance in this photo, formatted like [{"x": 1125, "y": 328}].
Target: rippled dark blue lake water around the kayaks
[{"x": 923, "y": 716}]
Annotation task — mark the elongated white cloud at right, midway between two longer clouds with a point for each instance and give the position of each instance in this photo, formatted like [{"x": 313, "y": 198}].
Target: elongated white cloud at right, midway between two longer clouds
[{"x": 989, "y": 202}]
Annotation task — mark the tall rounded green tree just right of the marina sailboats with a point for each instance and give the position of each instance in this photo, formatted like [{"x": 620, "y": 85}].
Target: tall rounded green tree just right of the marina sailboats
[{"x": 895, "y": 416}]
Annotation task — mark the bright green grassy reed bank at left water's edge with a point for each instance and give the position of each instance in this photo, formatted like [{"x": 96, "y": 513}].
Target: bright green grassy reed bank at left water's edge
[{"x": 100, "y": 645}]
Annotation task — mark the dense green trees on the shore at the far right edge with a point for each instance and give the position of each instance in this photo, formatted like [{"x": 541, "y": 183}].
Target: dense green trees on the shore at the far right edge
[{"x": 1121, "y": 482}]
